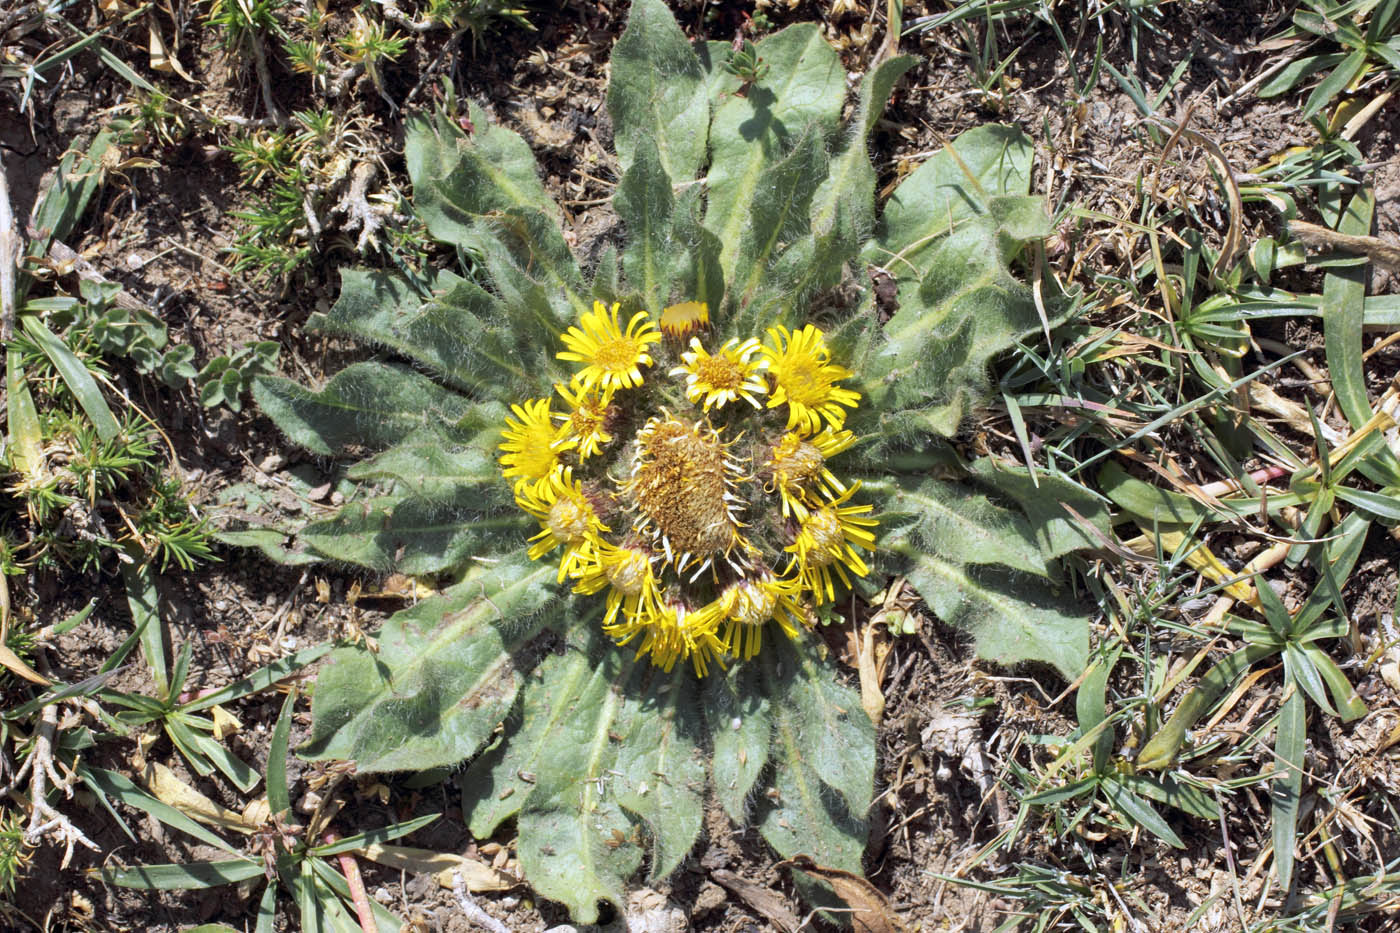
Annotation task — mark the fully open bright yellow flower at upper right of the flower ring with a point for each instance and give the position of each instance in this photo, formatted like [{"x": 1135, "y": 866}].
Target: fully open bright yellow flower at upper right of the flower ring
[{"x": 806, "y": 379}]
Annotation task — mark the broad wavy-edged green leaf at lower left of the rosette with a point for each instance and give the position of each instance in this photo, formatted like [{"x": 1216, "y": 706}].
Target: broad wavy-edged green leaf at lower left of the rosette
[{"x": 442, "y": 680}]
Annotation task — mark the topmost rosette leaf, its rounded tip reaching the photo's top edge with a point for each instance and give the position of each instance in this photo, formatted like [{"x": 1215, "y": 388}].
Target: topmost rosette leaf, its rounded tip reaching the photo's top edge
[{"x": 657, "y": 93}]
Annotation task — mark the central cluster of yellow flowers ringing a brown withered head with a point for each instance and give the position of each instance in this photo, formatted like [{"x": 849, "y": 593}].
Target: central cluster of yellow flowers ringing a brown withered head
[{"x": 688, "y": 480}]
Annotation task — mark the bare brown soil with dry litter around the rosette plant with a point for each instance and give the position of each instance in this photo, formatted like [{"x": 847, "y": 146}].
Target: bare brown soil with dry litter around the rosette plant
[{"x": 162, "y": 228}]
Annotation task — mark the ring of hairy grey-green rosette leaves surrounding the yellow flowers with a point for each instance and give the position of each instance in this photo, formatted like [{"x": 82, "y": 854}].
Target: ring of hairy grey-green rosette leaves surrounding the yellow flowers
[{"x": 759, "y": 201}]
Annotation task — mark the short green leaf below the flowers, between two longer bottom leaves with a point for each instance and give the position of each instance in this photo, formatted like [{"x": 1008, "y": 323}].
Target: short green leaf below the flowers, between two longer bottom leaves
[{"x": 741, "y": 726}]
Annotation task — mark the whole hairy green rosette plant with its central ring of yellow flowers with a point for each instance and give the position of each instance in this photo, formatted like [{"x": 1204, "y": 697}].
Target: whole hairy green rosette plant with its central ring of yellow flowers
[{"x": 642, "y": 481}]
